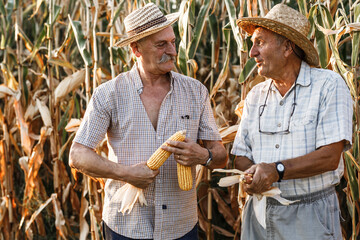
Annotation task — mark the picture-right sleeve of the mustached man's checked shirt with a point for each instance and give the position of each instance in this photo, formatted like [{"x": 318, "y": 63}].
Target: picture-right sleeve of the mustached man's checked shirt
[{"x": 207, "y": 126}]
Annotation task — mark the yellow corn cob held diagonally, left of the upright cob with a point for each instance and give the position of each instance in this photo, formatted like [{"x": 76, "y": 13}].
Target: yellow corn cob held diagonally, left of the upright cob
[{"x": 159, "y": 156}]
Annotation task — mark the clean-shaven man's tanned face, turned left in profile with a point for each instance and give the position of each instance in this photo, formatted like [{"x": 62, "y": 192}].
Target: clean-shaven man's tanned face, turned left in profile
[{"x": 268, "y": 51}]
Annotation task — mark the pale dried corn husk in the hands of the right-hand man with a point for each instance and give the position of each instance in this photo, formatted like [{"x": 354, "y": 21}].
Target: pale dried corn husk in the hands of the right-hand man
[{"x": 259, "y": 200}]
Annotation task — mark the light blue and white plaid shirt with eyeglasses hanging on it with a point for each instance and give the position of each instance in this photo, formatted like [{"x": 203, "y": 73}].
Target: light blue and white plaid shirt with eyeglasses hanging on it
[{"x": 322, "y": 115}]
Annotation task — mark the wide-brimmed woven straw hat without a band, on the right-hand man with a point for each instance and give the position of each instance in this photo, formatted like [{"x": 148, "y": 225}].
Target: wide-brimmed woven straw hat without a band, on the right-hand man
[{"x": 287, "y": 22}]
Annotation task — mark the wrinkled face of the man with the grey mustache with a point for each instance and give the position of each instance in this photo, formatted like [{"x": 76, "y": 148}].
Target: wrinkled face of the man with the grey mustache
[{"x": 158, "y": 51}]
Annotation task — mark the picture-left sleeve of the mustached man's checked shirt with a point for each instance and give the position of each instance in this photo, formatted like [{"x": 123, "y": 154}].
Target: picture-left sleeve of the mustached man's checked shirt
[{"x": 96, "y": 120}]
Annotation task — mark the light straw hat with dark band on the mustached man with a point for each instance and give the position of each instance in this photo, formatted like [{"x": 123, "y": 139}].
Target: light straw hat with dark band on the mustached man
[{"x": 145, "y": 21}]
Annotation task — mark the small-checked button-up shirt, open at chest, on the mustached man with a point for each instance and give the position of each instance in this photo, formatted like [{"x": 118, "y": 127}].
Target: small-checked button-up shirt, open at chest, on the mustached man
[{"x": 116, "y": 111}]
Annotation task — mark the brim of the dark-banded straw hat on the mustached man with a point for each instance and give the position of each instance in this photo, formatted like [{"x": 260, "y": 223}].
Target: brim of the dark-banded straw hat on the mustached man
[{"x": 171, "y": 18}]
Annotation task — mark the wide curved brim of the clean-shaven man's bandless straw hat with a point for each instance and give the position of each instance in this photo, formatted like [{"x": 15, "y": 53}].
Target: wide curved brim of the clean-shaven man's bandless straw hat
[{"x": 250, "y": 24}]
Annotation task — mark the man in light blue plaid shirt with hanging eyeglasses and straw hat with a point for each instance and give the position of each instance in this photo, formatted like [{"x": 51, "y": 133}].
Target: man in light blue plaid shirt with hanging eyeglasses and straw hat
[{"x": 293, "y": 130}]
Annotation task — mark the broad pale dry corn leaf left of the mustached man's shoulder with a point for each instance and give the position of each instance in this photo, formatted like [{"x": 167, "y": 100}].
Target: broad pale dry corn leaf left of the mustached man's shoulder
[{"x": 69, "y": 84}]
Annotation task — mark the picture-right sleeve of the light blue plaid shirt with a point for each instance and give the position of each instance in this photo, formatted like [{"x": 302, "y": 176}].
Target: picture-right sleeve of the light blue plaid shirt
[{"x": 335, "y": 114}]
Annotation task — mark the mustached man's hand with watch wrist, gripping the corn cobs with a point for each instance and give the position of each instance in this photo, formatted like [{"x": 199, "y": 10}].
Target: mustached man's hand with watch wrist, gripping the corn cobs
[{"x": 187, "y": 153}]
